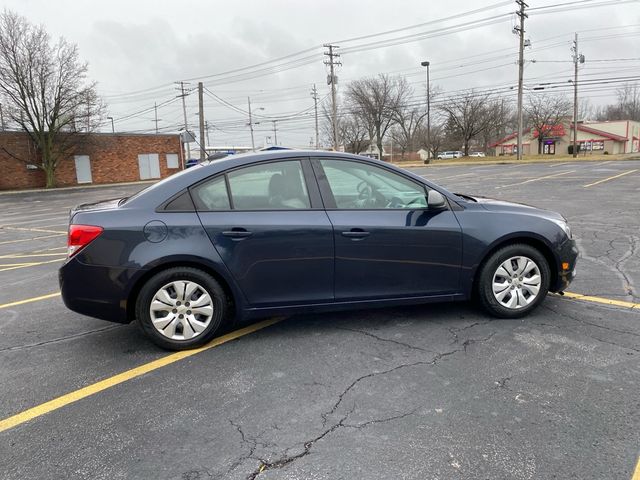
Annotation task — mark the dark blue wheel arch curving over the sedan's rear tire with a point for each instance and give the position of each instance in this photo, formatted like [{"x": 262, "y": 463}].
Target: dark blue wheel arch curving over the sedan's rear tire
[{"x": 234, "y": 297}]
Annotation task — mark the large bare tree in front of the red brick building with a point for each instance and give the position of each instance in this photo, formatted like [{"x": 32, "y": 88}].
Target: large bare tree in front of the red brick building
[{"x": 45, "y": 90}]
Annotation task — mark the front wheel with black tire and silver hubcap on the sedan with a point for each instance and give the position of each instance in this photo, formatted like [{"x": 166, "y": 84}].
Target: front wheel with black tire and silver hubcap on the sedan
[{"x": 513, "y": 281}]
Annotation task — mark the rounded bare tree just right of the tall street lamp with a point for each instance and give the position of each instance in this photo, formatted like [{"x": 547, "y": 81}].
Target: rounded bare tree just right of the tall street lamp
[{"x": 468, "y": 115}]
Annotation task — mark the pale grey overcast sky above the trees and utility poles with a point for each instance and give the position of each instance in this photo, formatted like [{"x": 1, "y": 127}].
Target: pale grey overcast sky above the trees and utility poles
[{"x": 137, "y": 49}]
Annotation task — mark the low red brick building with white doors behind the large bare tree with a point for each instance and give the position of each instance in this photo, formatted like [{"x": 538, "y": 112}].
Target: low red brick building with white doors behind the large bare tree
[{"x": 102, "y": 158}]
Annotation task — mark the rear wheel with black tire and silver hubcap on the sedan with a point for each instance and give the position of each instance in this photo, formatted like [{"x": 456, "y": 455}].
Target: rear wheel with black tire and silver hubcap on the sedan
[{"x": 181, "y": 308}]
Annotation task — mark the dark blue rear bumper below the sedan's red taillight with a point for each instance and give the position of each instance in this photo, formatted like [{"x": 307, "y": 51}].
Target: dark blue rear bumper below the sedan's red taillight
[{"x": 96, "y": 291}]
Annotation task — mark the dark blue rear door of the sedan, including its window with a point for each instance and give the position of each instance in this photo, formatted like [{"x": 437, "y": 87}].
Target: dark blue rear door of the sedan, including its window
[{"x": 268, "y": 225}]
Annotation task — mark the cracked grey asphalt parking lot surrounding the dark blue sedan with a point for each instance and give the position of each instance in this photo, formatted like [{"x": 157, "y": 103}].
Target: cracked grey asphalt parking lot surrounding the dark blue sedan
[{"x": 429, "y": 392}]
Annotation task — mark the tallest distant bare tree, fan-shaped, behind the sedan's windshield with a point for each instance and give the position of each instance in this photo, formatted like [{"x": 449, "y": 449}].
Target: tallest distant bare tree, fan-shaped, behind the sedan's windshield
[{"x": 375, "y": 101}]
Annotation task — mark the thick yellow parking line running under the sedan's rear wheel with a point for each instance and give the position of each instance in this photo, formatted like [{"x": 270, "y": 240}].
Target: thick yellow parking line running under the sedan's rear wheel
[{"x": 94, "y": 388}]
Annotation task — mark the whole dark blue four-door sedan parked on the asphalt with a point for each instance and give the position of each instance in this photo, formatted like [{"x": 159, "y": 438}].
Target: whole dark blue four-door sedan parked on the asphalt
[{"x": 295, "y": 231}]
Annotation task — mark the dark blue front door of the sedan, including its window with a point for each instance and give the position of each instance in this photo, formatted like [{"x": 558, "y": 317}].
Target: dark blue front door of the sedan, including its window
[{"x": 388, "y": 242}]
